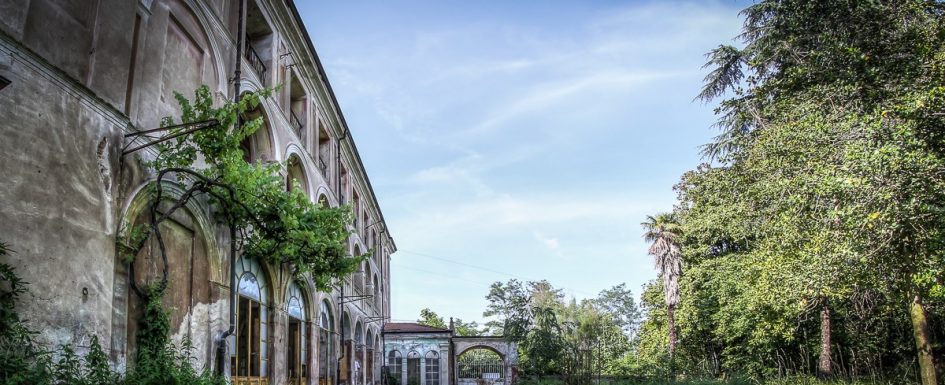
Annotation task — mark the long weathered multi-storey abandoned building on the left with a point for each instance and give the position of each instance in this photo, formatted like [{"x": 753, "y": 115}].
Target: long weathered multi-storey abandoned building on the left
[{"x": 75, "y": 78}]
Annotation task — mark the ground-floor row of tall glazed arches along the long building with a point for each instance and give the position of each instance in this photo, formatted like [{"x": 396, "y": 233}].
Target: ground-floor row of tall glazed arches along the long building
[{"x": 334, "y": 355}]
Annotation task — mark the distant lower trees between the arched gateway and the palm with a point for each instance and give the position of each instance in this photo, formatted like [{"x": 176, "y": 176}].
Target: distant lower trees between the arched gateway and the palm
[{"x": 567, "y": 338}]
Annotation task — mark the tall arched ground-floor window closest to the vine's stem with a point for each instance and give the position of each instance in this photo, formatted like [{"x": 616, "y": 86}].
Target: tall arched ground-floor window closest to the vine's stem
[{"x": 249, "y": 359}]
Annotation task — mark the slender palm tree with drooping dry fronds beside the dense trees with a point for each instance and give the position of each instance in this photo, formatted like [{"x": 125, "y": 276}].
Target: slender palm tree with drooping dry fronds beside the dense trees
[{"x": 664, "y": 231}]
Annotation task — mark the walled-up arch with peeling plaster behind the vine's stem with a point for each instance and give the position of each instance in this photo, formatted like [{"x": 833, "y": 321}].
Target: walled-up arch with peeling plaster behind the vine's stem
[{"x": 194, "y": 264}]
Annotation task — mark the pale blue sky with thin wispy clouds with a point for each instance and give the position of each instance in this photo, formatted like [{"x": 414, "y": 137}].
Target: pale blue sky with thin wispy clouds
[{"x": 519, "y": 139}]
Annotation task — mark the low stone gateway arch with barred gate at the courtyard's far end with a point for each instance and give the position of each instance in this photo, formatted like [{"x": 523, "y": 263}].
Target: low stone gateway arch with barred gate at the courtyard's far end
[{"x": 484, "y": 370}]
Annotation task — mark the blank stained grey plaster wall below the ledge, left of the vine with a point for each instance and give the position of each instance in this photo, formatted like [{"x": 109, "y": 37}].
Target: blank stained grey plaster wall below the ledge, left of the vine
[{"x": 58, "y": 160}]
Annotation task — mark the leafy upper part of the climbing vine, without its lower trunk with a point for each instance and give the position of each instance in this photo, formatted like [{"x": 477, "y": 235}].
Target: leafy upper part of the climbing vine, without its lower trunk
[{"x": 271, "y": 224}]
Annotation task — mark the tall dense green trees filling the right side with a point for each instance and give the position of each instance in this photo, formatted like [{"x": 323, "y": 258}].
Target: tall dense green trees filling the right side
[{"x": 818, "y": 222}]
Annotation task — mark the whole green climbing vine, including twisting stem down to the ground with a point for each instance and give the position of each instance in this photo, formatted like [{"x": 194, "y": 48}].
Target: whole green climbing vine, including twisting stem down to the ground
[{"x": 267, "y": 222}]
